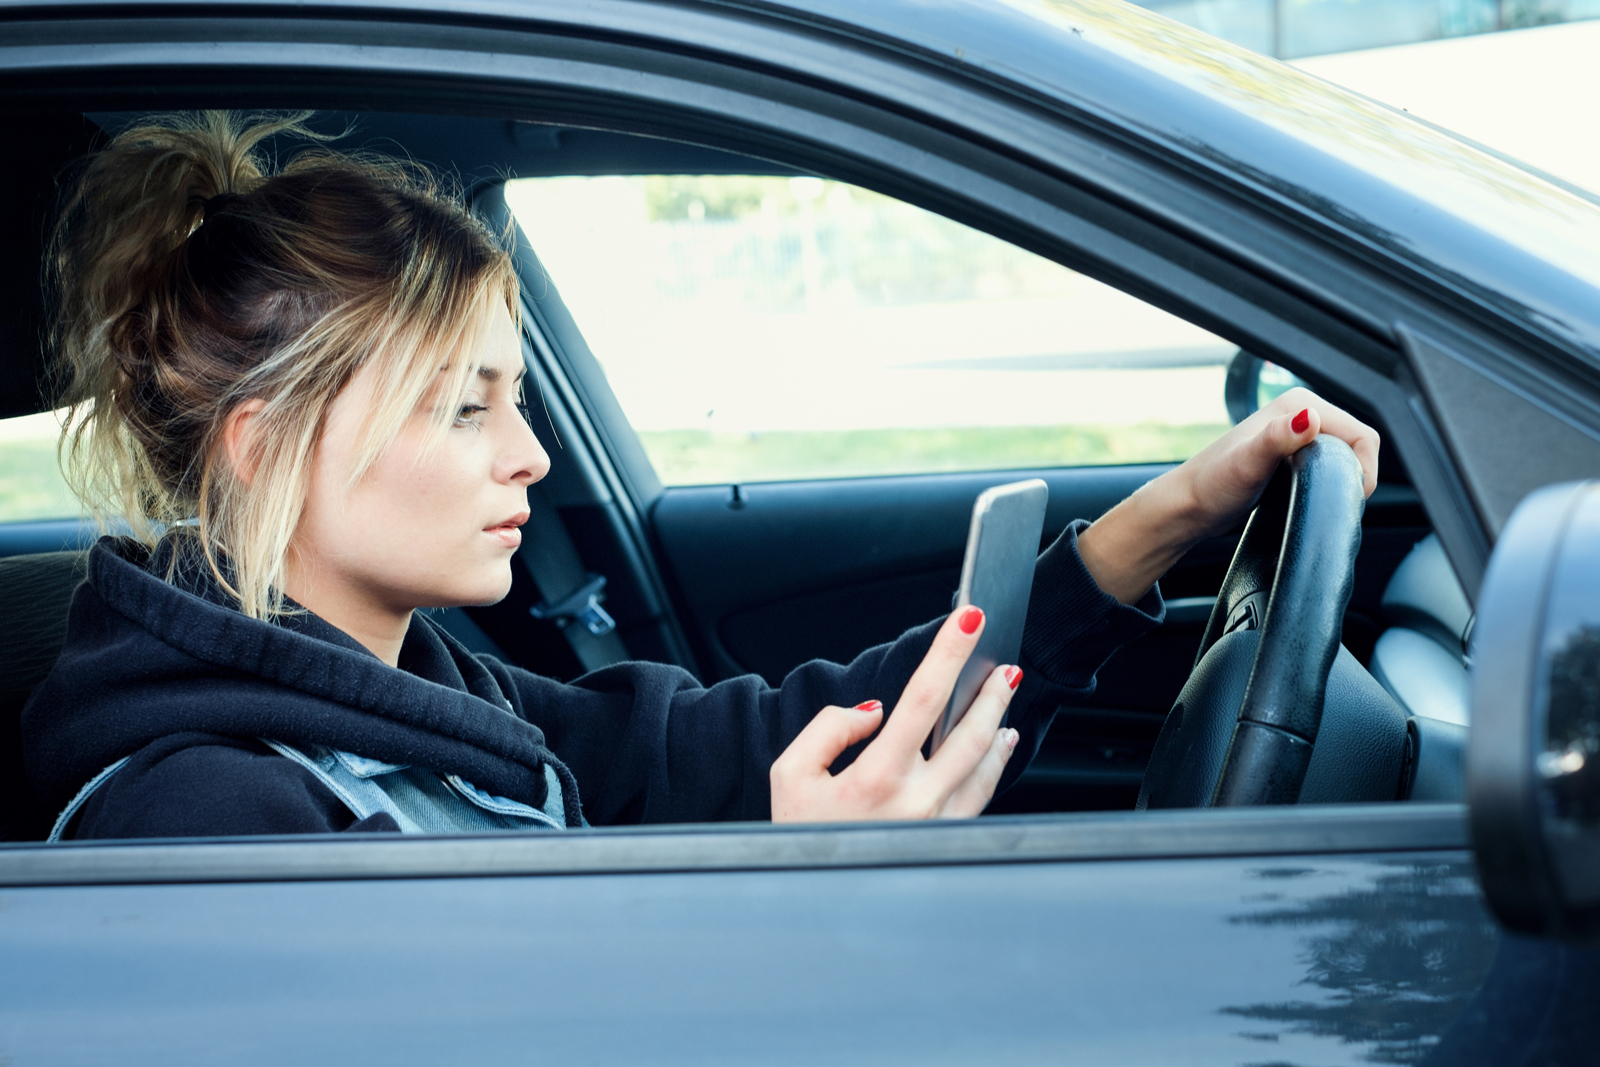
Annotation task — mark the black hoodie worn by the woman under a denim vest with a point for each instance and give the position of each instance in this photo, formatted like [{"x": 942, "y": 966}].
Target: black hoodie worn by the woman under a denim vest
[{"x": 169, "y": 674}]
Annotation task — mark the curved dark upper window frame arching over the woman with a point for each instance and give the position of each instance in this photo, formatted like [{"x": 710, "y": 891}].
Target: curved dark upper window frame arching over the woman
[{"x": 951, "y": 140}]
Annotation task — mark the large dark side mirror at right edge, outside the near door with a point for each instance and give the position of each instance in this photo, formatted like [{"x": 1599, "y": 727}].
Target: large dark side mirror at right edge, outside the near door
[{"x": 1534, "y": 757}]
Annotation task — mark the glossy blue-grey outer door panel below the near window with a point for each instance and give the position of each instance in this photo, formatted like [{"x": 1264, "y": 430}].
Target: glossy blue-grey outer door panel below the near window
[{"x": 1206, "y": 959}]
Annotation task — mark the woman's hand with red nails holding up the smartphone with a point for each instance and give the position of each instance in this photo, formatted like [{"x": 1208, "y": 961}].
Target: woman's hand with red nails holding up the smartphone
[{"x": 890, "y": 780}]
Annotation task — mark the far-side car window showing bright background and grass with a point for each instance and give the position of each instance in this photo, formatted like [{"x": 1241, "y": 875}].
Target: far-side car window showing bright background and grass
[{"x": 775, "y": 329}]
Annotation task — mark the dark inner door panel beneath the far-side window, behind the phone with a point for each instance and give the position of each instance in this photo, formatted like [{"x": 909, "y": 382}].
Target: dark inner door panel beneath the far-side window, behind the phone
[{"x": 769, "y": 572}]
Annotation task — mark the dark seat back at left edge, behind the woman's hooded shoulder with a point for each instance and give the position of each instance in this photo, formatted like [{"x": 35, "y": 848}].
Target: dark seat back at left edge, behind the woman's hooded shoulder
[{"x": 36, "y": 593}]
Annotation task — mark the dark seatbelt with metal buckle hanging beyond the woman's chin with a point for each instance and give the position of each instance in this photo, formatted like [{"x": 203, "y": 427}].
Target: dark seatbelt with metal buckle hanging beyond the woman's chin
[{"x": 572, "y": 594}]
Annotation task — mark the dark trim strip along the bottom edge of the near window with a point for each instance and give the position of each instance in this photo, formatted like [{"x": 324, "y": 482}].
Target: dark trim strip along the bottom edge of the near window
[{"x": 990, "y": 842}]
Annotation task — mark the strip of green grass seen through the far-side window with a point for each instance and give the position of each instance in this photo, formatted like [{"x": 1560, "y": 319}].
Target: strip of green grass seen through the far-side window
[{"x": 713, "y": 458}]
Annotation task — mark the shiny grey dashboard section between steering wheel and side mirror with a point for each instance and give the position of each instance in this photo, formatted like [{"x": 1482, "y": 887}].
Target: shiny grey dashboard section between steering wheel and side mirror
[{"x": 1422, "y": 660}]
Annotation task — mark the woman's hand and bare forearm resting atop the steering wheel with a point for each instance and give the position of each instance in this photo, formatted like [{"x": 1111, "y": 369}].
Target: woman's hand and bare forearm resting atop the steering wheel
[{"x": 1135, "y": 543}]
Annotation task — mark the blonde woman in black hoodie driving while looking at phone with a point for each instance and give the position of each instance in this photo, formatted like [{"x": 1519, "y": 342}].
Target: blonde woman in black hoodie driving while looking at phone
[{"x": 305, "y": 394}]
